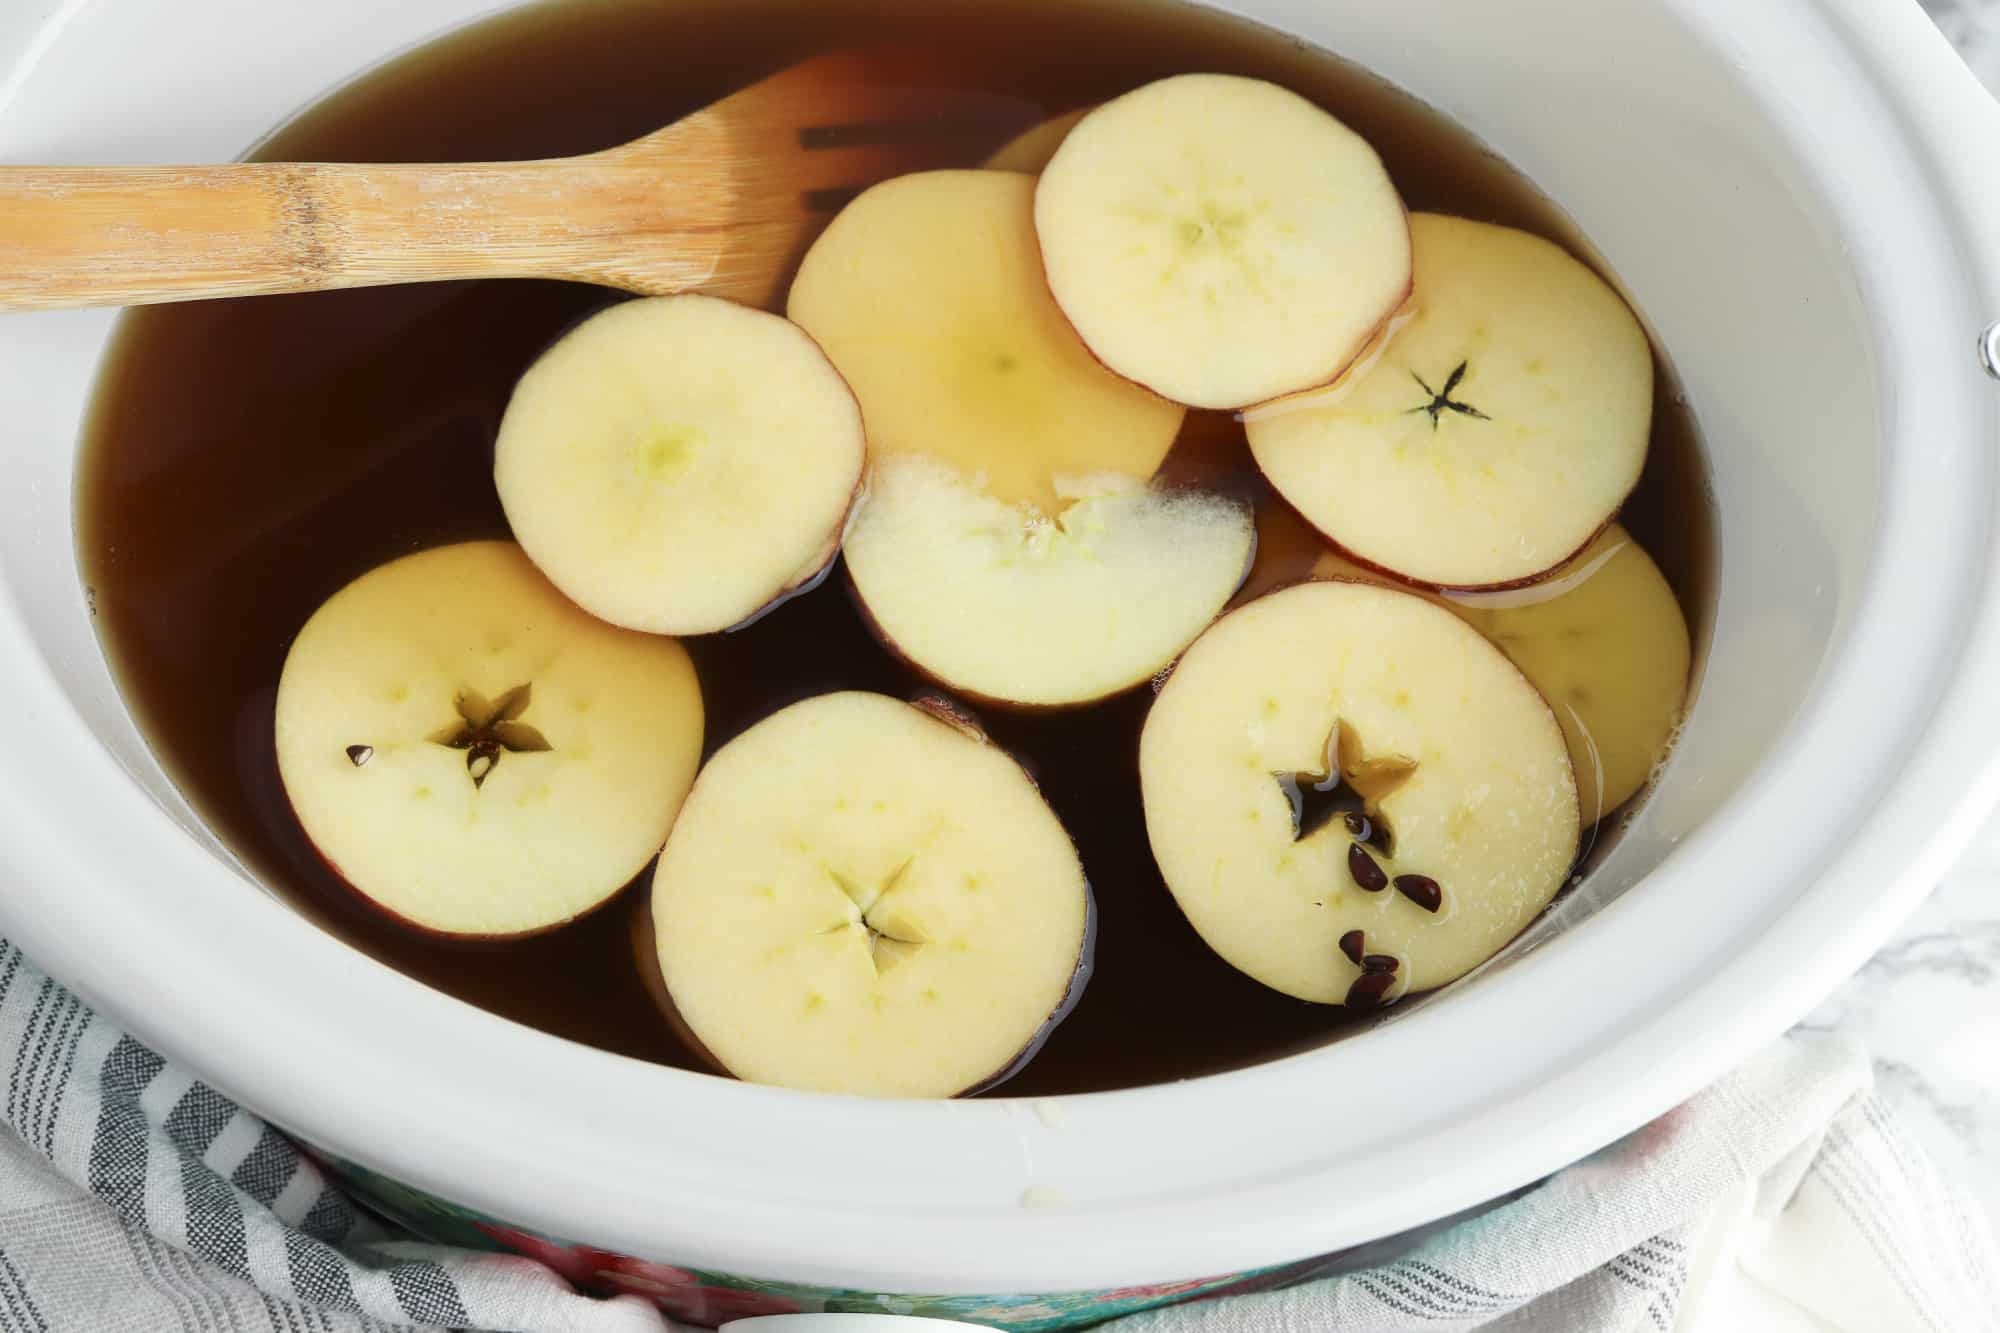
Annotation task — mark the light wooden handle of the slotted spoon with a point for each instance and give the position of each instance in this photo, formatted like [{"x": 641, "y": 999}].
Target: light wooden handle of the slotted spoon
[{"x": 139, "y": 235}]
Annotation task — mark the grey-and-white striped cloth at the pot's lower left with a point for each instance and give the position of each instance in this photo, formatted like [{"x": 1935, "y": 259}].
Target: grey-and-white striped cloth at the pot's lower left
[{"x": 139, "y": 1200}]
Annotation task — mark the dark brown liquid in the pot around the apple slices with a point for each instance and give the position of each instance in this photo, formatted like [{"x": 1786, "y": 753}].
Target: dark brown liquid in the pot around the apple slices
[{"x": 251, "y": 457}]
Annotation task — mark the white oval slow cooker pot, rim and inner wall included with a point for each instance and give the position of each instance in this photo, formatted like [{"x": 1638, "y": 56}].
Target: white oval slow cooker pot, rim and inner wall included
[{"x": 1803, "y": 197}]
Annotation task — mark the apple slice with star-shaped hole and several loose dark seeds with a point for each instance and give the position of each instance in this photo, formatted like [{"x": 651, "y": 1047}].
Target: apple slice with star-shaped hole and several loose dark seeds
[{"x": 1353, "y": 796}]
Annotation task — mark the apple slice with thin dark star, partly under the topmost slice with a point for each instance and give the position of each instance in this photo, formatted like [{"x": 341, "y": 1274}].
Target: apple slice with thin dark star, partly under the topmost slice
[{"x": 1499, "y": 431}]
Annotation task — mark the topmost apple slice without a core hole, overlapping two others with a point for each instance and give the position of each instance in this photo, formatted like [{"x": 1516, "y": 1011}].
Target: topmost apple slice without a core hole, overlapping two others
[{"x": 1221, "y": 239}]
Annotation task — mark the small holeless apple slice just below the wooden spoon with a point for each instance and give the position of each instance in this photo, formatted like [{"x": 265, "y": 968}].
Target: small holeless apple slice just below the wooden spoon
[{"x": 679, "y": 465}]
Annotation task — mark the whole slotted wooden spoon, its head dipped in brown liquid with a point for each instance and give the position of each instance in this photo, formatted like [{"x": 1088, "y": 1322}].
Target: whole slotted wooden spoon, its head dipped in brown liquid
[{"x": 723, "y": 201}]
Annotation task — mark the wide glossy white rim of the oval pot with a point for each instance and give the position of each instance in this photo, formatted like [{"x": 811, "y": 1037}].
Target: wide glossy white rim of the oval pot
[{"x": 1163, "y": 1184}]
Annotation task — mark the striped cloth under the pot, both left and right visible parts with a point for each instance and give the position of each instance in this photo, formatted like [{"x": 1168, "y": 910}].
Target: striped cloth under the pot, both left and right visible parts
[{"x": 137, "y": 1200}]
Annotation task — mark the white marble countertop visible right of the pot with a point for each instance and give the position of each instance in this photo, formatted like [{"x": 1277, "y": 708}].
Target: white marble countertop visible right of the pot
[{"x": 1929, "y": 1004}]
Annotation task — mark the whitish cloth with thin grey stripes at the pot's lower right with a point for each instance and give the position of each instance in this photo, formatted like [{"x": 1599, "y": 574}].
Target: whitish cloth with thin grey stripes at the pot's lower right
[{"x": 1779, "y": 1200}]
